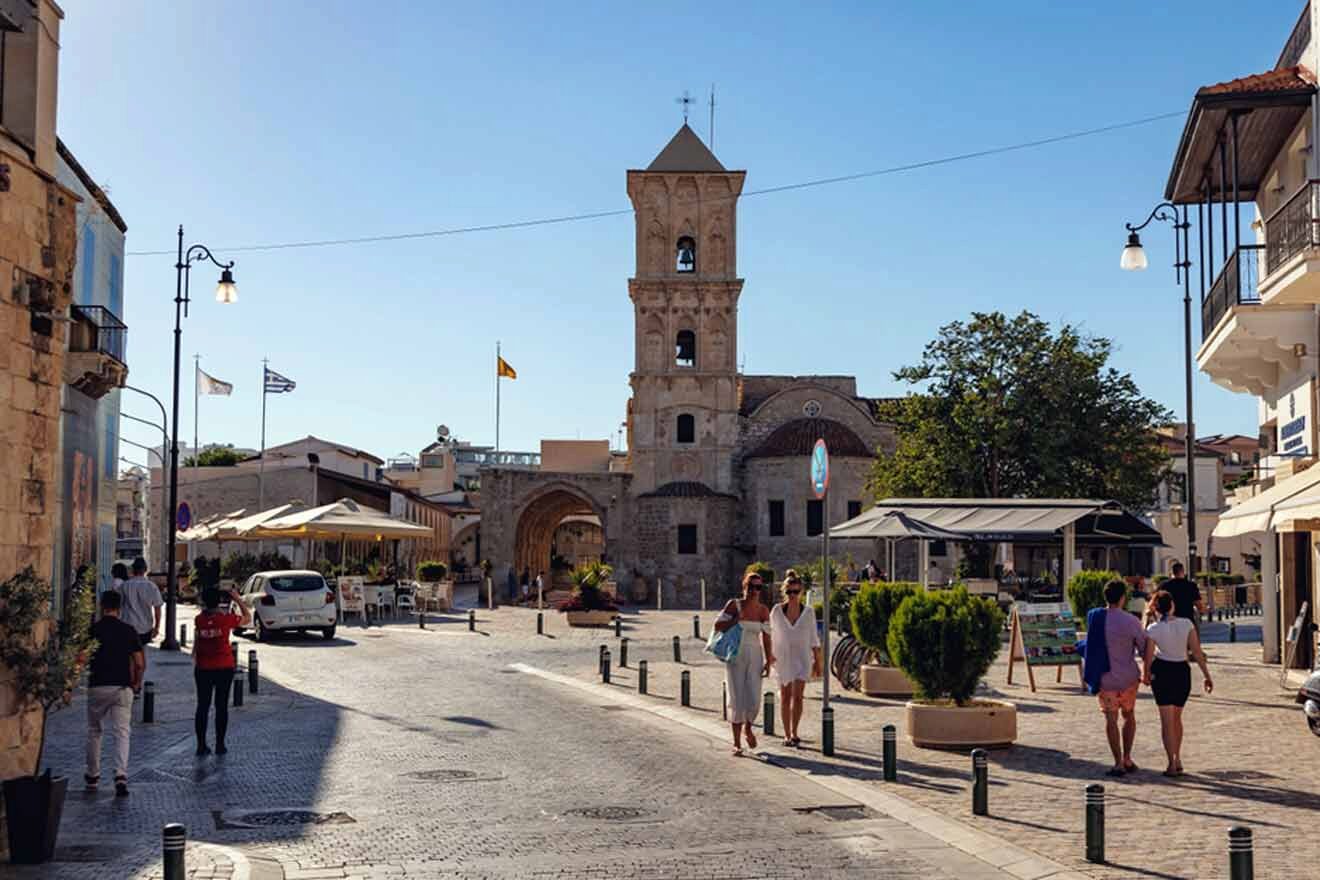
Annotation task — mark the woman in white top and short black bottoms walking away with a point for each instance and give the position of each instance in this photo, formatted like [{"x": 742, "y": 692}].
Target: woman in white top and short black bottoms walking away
[{"x": 1169, "y": 642}]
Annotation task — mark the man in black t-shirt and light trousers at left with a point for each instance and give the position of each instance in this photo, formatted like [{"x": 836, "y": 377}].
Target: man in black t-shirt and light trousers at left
[{"x": 115, "y": 675}]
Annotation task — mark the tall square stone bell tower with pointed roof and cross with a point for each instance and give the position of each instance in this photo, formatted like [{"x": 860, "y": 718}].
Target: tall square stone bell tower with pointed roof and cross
[{"x": 683, "y": 419}]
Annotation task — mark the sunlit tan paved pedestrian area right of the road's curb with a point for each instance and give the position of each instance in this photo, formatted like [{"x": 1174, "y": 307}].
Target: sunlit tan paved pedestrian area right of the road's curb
[{"x": 1237, "y": 749}]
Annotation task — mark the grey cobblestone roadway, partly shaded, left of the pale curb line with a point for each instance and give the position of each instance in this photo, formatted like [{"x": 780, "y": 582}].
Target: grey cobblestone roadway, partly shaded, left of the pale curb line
[{"x": 398, "y": 753}]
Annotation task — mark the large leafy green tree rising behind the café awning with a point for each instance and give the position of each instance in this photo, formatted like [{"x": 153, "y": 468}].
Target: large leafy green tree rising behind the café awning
[{"x": 1009, "y": 408}]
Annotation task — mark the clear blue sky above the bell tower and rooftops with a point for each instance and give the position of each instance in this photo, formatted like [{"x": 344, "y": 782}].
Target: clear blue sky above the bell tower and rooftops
[{"x": 280, "y": 122}]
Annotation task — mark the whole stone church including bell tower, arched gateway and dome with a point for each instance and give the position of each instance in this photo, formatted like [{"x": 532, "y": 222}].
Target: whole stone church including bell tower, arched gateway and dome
[{"x": 719, "y": 462}]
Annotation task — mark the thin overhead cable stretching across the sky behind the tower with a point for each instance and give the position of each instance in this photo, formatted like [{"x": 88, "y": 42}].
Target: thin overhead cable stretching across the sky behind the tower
[{"x": 769, "y": 191}]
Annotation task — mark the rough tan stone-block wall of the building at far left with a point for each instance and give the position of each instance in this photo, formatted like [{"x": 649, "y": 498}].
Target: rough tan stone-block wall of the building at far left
[{"x": 38, "y": 251}]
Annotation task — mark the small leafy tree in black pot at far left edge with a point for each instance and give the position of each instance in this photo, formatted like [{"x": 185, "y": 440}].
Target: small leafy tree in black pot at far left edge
[{"x": 46, "y": 667}]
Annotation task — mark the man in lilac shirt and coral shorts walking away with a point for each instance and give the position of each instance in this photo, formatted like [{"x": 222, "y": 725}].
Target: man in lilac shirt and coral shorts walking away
[{"x": 1115, "y": 639}]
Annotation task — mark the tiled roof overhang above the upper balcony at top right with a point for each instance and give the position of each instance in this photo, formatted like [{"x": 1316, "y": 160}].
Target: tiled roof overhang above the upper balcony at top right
[{"x": 1268, "y": 109}]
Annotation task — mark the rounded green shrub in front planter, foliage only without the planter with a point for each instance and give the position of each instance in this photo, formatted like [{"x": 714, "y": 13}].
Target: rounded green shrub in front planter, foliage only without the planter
[{"x": 946, "y": 642}]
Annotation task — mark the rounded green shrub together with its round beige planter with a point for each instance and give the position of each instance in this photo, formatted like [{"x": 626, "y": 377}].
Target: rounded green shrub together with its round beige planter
[{"x": 946, "y": 642}]
